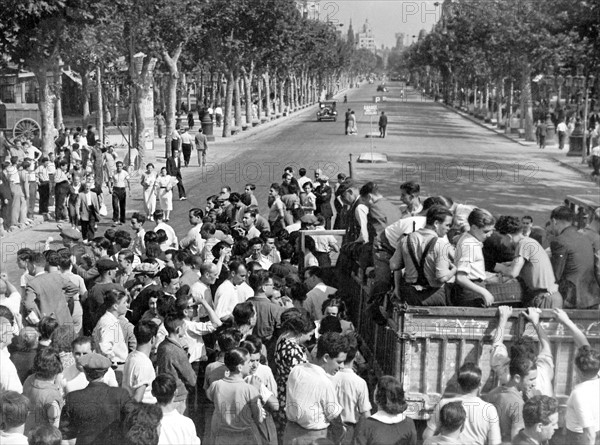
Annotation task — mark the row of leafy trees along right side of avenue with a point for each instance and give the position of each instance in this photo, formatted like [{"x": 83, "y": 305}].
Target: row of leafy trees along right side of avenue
[{"x": 489, "y": 46}]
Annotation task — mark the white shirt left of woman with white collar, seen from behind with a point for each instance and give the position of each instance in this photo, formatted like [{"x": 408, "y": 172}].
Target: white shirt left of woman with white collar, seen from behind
[{"x": 352, "y": 393}]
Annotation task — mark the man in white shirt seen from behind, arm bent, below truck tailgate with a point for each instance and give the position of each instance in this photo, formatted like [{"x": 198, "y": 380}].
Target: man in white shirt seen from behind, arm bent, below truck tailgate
[{"x": 481, "y": 425}]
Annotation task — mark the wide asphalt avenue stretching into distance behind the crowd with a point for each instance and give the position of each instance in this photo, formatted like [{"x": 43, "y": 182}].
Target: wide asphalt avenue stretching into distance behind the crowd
[{"x": 426, "y": 142}]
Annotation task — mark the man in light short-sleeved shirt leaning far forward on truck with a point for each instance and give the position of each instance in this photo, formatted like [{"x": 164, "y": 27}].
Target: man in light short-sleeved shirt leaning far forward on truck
[{"x": 530, "y": 263}]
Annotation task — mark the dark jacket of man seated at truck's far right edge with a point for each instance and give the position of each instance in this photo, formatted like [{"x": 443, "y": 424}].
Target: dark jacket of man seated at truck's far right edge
[{"x": 573, "y": 263}]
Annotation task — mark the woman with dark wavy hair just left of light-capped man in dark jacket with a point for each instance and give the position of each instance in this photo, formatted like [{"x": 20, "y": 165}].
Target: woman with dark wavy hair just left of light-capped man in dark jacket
[{"x": 43, "y": 392}]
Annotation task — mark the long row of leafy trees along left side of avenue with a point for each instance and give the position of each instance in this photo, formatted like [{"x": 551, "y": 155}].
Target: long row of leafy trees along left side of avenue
[{"x": 264, "y": 46}]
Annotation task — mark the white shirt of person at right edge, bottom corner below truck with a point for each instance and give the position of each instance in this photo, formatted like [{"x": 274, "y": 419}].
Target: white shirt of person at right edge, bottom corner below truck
[{"x": 583, "y": 407}]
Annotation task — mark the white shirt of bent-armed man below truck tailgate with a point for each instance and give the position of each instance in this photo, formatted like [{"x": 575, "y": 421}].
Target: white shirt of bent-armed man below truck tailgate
[{"x": 481, "y": 425}]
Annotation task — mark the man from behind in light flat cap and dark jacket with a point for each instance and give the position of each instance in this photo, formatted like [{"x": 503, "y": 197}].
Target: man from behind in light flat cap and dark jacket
[{"x": 88, "y": 412}]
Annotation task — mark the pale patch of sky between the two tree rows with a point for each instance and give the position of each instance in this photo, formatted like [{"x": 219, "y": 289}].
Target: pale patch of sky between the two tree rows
[{"x": 386, "y": 17}]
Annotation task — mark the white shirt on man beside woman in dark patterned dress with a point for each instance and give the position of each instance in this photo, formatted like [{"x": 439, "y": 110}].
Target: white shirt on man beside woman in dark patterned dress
[{"x": 311, "y": 400}]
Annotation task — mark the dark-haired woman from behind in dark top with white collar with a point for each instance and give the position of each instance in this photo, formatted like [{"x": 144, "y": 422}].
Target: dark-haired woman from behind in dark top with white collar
[{"x": 389, "y": 425}]
